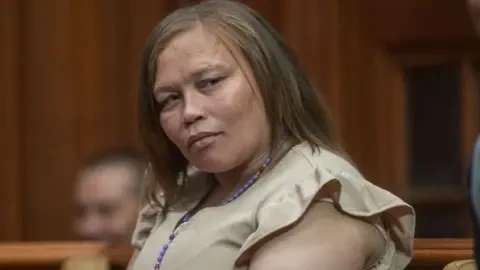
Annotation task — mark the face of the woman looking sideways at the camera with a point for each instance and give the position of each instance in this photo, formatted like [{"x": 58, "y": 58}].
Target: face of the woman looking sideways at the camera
[{"x": 210, "y": 106}]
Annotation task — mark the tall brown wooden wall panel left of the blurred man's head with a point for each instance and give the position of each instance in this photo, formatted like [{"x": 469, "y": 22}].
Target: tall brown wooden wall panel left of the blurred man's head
[{"x": 49, "y": 118}]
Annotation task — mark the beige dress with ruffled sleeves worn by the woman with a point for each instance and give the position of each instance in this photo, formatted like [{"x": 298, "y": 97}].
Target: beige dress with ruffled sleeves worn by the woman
[{"x": 216, "y": 237}]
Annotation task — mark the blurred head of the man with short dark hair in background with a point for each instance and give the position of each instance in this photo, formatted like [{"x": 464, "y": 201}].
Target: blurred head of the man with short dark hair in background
[{"x": 107, "y": 194}]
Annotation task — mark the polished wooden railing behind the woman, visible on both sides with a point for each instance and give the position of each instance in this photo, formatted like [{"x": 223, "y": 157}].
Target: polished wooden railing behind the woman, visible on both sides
[{"x": 429, "y": 253}]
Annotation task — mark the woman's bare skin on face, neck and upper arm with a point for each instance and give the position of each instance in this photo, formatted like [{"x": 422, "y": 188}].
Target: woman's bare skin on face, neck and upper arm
[{"x": 232, "y": 105}]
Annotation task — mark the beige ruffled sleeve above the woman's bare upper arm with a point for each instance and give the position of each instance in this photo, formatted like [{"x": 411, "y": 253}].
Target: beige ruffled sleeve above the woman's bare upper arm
[{"x": 353, "y": 194}]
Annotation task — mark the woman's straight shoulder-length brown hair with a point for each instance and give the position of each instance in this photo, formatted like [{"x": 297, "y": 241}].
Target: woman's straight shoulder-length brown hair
[{"x": 291, "y": 101}]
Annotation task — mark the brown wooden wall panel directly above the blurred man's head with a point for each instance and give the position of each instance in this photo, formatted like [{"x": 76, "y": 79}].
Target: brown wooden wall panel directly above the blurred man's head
[{"x": 107, "y": 102}]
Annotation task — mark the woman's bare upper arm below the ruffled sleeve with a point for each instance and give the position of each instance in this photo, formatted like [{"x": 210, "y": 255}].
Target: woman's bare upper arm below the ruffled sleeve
[{"x": 323, "y": 239}]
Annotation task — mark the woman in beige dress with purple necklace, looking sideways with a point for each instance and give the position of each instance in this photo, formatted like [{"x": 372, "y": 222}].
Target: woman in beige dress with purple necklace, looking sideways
[{"x": 252, "y": 175}]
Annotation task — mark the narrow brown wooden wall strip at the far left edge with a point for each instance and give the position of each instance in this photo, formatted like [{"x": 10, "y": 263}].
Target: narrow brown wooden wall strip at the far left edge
[{"x": 10, "y": 184}]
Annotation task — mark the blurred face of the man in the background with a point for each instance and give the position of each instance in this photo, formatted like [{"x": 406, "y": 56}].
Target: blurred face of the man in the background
[{"x": 106, "y": 204}]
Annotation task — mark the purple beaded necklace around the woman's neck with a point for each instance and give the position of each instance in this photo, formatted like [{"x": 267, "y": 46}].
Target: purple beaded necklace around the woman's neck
[{"x": 187, "y": 216}]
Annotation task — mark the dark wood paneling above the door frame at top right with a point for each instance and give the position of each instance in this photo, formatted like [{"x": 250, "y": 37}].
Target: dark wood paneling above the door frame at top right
[{"x": 421, "y": 25}]
